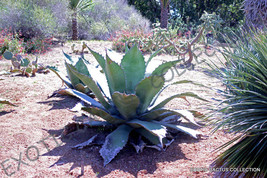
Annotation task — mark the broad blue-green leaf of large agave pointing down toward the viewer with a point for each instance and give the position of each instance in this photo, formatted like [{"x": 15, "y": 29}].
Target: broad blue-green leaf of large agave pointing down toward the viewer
[{"x": 114, "y": 142}]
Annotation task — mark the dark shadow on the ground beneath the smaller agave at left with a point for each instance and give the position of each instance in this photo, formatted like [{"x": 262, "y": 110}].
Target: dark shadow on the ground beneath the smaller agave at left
[{"x": 60, "y": 102}]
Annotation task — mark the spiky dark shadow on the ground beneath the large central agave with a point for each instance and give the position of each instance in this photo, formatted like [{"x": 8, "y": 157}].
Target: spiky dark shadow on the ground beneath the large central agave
[{"x": 127, "y": 160}]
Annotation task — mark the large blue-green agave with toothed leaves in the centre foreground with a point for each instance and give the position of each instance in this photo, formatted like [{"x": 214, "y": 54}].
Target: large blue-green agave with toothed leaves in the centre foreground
[{"x": 128, "y": 103}]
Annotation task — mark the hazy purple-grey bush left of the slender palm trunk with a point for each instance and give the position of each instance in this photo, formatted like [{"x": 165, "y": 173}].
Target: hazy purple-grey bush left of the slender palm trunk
[{"x": 33, "y": 18}]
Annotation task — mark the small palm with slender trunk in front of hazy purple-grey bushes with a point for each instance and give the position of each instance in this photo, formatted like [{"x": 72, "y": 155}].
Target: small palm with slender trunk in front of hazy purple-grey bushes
[{"x": 76, "y": 6}]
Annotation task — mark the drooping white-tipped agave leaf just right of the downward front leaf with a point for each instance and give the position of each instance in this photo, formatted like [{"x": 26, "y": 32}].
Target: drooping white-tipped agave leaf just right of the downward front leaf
[{"x": 156, "y": 129}]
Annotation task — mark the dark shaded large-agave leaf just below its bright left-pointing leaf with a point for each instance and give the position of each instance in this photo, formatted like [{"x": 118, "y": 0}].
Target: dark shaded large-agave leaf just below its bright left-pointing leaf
[{"x": 104, "y": 115}]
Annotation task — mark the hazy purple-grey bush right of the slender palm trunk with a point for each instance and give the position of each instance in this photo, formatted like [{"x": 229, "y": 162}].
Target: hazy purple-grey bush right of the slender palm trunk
[{"x": 107, "y": 18}]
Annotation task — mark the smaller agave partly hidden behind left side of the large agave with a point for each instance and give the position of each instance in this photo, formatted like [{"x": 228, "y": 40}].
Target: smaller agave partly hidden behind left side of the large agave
[{"x": 72, "y": 81}]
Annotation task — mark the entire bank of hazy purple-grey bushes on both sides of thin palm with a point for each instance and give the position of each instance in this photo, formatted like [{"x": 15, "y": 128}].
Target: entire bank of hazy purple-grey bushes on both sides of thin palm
[{"x": 44, "y": 18}]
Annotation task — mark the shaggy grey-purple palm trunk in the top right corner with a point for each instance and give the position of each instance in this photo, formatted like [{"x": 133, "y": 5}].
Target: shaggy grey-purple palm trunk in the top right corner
[{"x": 256, "y": 12}]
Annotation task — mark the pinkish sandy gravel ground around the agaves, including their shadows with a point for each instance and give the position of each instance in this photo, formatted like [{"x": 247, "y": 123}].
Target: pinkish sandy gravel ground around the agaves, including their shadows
[{"x": 29, "y": 146}]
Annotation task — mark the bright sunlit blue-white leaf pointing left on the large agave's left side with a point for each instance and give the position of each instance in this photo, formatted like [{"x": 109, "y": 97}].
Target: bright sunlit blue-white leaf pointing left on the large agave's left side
[{"x": 87, "y": 99}]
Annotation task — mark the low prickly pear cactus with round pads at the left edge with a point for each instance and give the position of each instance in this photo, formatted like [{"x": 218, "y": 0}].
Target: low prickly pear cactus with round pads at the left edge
[{"x": 24, "y": 65}]
